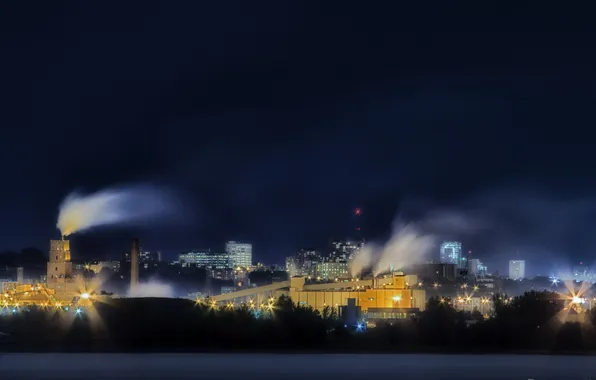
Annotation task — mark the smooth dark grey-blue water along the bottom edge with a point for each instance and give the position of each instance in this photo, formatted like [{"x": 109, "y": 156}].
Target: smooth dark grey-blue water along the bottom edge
[{"x": 292, "y": 366}]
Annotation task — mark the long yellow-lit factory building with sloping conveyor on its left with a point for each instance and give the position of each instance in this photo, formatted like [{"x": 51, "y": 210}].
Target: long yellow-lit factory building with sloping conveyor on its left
[{"x": 389, "y": 297}]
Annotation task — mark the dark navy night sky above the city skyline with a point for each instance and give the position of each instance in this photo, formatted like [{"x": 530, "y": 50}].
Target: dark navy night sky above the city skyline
[{"x": 275, "y": 119}]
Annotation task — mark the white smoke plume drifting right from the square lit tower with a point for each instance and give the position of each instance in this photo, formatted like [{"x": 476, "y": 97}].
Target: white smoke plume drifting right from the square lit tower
[{"x": 125, "y": 205}]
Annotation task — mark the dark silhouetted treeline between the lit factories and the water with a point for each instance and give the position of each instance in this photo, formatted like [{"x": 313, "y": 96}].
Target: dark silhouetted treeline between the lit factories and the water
[{"x": 529, "y": 323}]
